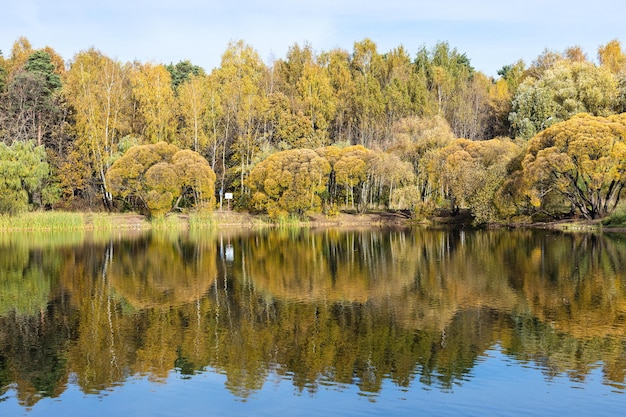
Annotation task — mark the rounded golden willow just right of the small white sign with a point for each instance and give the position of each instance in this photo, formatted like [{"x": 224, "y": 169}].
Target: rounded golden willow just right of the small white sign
[{"x": 289, "y": 182}]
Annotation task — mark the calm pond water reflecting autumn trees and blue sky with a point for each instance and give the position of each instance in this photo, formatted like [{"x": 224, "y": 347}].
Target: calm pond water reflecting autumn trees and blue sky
[{"x": 331, "y": 322}]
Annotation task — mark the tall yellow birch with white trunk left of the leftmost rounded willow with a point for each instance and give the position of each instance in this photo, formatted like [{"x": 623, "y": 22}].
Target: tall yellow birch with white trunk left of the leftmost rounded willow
[{"x": 97, "y": 89}]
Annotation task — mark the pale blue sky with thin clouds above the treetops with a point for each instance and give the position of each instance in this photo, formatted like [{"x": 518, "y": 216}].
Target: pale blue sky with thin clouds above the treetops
[{"x": 492, "y": 33}]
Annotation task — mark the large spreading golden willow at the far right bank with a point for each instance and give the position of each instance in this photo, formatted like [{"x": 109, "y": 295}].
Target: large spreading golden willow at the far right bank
[{"x": 581, "y": 160}]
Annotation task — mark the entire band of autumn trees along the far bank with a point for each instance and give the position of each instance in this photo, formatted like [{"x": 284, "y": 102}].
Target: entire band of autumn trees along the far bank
[{"x": 314, "y": 131}]
